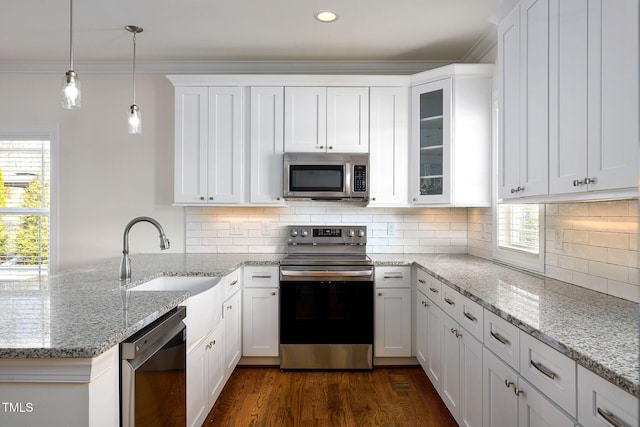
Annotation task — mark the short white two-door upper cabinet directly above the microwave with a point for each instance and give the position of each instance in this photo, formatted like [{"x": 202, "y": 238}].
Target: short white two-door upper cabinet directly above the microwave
[{"x": 334, "y": 119}]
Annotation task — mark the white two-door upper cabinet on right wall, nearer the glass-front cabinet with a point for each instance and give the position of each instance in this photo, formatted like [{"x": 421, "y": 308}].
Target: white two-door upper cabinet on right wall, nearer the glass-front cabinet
[{"x": 523, "y": 121}]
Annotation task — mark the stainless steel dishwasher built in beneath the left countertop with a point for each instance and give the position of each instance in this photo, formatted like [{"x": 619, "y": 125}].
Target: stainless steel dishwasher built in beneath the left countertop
[{"x": 153, "y": 373}]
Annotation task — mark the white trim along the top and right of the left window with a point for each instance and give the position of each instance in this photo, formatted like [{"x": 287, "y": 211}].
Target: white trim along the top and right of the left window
[{"x": 50, "y": 133}]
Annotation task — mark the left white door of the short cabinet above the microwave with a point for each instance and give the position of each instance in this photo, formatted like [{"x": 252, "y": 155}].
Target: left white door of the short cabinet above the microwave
[{"x": 305, "y": 119}]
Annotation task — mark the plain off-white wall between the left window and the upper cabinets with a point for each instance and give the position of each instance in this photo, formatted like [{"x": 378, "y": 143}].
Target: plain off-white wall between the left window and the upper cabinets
[{"x": 106, "y": 176}]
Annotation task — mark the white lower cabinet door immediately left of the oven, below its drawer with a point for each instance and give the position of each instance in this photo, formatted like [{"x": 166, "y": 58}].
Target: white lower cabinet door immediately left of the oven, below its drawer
[{"x": 260, "y": 322}]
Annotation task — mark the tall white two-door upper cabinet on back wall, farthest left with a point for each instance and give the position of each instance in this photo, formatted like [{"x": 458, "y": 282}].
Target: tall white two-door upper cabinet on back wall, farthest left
[{"x": 208, "y": 145}]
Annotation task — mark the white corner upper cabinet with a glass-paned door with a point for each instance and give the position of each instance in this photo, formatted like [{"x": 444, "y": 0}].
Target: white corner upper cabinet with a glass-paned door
[{"x": 451, "y": 135}]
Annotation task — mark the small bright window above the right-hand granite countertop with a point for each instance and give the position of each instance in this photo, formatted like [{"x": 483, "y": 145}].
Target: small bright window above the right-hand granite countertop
[{"x": 520, "y": 235}]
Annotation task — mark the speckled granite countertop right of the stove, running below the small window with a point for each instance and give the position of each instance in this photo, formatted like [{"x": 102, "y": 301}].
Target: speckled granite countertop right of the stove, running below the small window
[{"x": 599, "y": 331}]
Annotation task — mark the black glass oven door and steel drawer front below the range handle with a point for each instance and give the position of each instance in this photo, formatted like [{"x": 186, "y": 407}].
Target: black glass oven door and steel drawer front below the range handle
[{"x": 326, "y": 324}]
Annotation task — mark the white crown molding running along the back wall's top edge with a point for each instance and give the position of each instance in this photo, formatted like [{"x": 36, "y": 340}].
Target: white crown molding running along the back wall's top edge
[{"x": 225, "y": 67}]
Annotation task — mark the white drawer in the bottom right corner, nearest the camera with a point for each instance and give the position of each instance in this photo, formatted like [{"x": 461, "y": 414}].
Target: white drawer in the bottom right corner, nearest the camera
[{"x": 603, "y": 404}]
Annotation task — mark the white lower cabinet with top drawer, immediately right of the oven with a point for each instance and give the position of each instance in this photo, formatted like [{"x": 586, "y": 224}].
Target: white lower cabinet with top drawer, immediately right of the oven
[{"x": 392, "y": 312}]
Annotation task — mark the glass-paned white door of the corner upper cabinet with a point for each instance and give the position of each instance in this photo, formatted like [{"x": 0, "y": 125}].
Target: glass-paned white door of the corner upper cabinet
[{"x": 431, "y": 110}]
